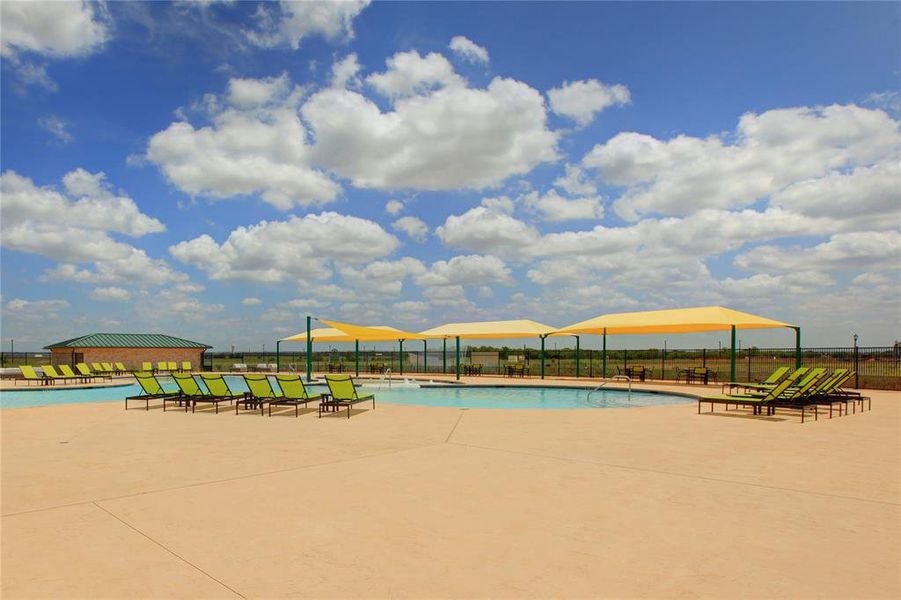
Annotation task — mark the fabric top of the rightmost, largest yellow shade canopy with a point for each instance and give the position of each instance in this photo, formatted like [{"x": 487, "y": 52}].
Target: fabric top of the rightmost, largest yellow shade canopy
[{"x": 677, "y": 320}]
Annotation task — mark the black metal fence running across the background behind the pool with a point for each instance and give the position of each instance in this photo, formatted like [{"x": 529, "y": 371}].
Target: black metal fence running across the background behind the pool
[{"x": 876, "y": 367}]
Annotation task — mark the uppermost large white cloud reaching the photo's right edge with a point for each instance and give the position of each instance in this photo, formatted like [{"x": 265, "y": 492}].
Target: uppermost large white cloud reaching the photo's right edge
[{"x": 767, "y": 153}]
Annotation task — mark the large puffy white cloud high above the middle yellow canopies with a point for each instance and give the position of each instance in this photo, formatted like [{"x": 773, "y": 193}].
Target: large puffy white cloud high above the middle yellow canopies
[{"x": 454, "y": 137}]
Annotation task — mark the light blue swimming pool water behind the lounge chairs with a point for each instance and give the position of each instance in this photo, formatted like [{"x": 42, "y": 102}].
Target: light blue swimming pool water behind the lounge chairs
[{"x": 439, "y": 395}]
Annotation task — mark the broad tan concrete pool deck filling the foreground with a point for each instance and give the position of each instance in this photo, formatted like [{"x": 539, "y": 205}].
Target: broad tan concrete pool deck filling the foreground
[{"x": 408, "y": 501}]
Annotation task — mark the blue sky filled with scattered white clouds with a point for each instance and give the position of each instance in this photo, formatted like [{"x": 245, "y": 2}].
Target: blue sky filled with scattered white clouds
[{"x": 219, "y": 170}]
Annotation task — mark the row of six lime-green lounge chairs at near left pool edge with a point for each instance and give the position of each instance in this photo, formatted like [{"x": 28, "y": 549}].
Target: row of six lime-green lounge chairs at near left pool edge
[{"x": 290, "y": 391}]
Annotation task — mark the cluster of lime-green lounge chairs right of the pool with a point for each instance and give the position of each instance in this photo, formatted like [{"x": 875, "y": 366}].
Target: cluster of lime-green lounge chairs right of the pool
[{"x": 802, "y": 389}]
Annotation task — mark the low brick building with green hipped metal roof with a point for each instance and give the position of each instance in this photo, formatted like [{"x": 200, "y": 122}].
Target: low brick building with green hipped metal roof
[{"x": 129, "y": 348}]
